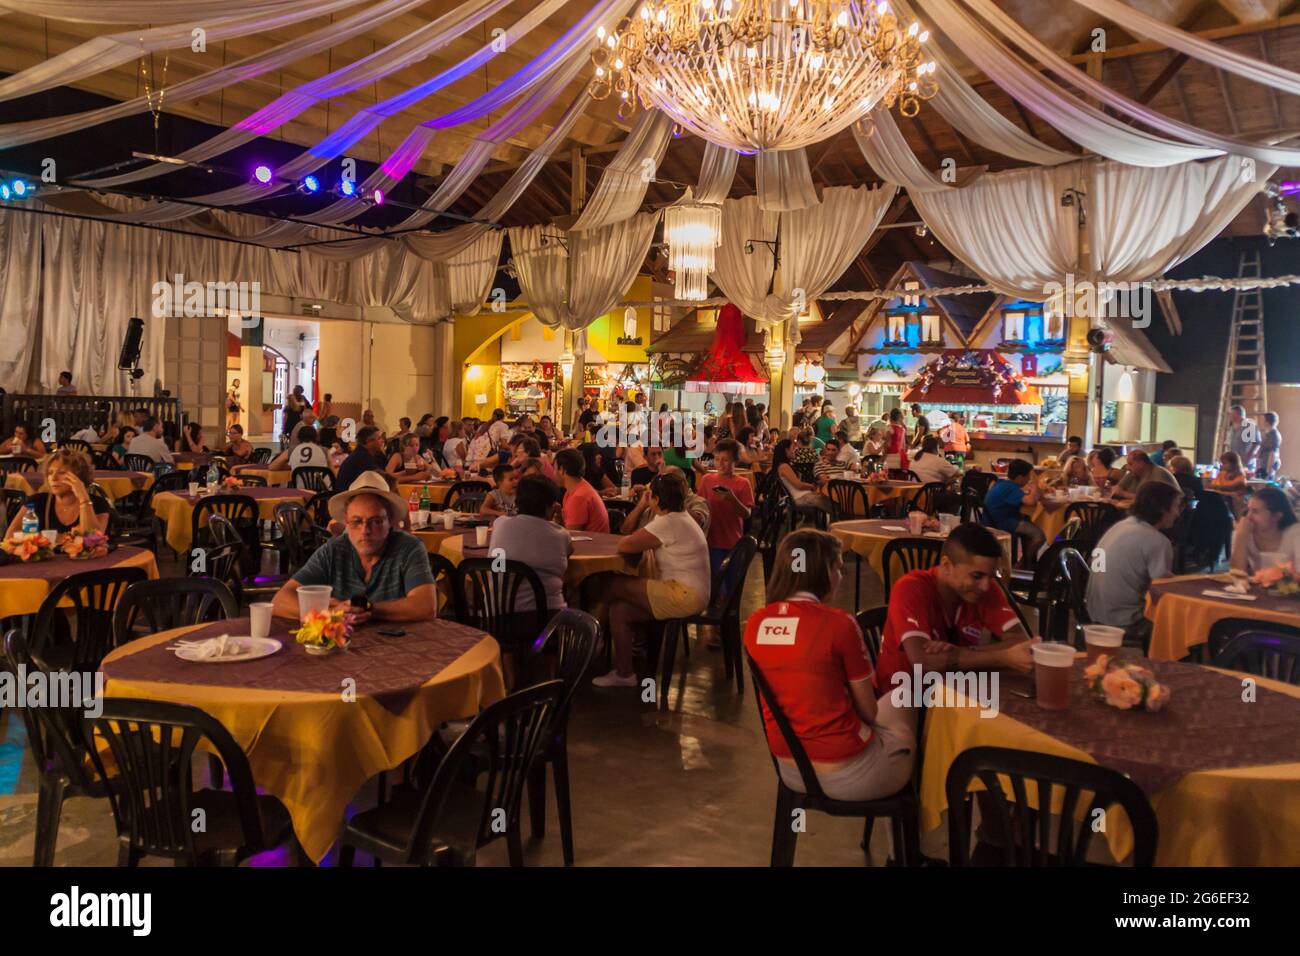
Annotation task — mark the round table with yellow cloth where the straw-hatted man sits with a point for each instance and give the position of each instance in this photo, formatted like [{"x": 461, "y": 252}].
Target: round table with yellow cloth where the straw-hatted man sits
[{"x": 307, "y": 745}]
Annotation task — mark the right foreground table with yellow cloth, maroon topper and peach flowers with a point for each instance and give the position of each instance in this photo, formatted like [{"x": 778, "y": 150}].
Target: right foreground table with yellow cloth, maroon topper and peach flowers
[{"x": 1215, "y": 807}]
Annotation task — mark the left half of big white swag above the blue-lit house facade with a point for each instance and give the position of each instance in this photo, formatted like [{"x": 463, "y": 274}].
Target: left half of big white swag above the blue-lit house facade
[{"x": 1011, "y": 228}]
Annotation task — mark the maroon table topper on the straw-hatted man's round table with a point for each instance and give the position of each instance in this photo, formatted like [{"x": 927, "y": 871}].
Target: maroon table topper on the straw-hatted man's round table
[{"x": 388, "y": 669}]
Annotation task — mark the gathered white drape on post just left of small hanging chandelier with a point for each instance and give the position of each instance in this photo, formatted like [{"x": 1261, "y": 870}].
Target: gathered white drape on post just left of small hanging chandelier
[{"x": 571, "y": 288}]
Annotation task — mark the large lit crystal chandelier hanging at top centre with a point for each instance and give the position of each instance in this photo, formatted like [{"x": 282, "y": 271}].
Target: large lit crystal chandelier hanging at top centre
[{"x": 764, "y": 75}]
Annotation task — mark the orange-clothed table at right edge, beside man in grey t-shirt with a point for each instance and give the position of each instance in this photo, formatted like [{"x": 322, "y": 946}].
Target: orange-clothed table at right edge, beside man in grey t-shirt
[{"x": 1182, "y": 615}]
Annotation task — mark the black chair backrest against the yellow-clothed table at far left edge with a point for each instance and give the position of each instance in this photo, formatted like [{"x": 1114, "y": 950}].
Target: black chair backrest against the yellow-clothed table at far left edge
[{"x": 84, "y": 604}]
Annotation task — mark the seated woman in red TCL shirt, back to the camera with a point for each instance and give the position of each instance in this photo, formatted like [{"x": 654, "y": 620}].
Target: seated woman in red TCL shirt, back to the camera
[{"x": 817, "y": 665}]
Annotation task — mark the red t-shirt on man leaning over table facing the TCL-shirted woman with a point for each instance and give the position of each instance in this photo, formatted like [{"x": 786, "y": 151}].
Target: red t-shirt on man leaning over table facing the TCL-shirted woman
[{"x": 917, "y": 609}]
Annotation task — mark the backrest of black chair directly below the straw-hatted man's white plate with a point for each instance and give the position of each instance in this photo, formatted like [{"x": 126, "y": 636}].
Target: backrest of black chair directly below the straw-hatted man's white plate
[{"x": 153, "y": 745}]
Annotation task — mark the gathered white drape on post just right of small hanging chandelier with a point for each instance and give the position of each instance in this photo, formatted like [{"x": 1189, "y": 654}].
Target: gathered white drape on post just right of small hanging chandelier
[{"x": 817, "y": 246}]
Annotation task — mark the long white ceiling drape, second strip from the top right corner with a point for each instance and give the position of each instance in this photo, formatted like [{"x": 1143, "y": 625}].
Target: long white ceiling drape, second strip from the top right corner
[{"x": 1264, "y": 153}]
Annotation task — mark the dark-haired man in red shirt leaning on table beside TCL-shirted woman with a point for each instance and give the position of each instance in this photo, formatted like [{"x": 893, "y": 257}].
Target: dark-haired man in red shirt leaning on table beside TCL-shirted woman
[{"x": 937, "y": 616}]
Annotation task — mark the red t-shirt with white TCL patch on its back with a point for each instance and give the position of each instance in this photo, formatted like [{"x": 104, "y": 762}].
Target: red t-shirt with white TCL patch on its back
[{"x": 809, "y": 651}]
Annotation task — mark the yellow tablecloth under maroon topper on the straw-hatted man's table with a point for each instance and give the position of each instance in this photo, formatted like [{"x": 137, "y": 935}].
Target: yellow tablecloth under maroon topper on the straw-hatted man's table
[{"x": 314, "y": 751}]
